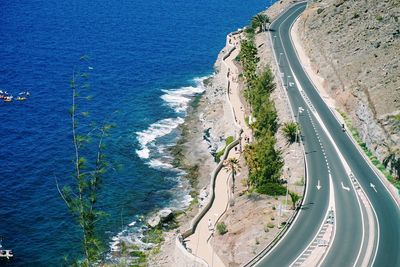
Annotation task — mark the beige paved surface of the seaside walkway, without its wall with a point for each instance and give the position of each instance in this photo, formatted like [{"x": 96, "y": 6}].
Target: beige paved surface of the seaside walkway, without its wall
[{"x": 200, "y": 243}]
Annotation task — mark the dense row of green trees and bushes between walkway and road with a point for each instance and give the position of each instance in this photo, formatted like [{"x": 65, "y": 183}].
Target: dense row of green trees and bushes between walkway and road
[{"x": 263, "y": 159}]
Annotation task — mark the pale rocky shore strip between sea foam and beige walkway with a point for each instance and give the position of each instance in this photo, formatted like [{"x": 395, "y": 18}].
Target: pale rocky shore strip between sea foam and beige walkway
[{"x": 202, "y": 134}]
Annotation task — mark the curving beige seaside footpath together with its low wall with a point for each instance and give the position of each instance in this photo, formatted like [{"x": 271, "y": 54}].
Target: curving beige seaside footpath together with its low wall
[{"x": 198, "y": 239}]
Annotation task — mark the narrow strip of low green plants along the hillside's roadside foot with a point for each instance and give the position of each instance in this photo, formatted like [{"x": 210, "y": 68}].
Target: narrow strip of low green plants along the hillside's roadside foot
[{"x": 375, "y": 161}]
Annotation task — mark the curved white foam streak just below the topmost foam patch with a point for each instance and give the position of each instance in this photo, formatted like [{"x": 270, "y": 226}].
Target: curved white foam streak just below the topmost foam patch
[{"x": 154, "y": 131}]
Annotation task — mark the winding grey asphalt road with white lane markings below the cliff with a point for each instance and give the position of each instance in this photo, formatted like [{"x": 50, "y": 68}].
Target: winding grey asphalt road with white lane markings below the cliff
[{"x": 359, "y": 239}]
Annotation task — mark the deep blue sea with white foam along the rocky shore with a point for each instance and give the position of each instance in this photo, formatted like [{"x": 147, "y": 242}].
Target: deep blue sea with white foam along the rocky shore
[{"x": 147, "y": 57}]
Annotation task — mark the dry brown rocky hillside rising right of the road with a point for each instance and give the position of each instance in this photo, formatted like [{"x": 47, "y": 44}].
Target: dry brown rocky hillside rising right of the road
[{"x": 355, "y": 46}]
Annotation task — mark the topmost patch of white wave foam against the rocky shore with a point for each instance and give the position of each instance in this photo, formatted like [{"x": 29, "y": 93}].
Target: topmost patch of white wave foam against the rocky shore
[{"x": 178, "y": 99}]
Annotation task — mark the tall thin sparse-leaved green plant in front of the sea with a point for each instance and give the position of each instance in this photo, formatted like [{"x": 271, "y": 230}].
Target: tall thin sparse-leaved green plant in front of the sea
[{"x": 81, "y": 196}]
